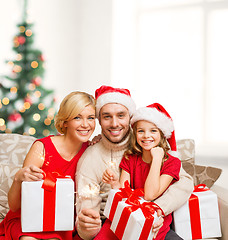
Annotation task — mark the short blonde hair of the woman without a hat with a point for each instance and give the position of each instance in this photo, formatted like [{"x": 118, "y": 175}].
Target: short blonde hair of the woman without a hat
[{"x": 70, "y": 107}]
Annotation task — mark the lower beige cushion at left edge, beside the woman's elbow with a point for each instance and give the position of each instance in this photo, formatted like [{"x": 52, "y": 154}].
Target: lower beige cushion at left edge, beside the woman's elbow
[{"x": 7, "y": 172}]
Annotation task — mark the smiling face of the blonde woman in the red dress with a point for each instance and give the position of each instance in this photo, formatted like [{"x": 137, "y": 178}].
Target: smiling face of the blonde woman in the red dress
[{"x": 83, "y": 125}]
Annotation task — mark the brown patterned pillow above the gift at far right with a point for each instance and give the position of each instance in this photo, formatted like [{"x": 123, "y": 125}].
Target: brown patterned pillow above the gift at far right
[{"x": 207, "y": 175}]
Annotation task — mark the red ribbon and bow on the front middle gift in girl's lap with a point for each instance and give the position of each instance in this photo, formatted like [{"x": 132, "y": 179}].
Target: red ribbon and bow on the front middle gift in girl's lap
[{"x": 148, "y": 209}]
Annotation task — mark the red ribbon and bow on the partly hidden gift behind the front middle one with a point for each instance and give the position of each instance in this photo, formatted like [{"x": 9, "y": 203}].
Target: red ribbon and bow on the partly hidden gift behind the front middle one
[{"x": 125, "y": 192}]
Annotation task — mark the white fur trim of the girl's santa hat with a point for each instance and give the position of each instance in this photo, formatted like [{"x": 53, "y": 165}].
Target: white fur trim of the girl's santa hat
[{"x": 164, "y": 123}]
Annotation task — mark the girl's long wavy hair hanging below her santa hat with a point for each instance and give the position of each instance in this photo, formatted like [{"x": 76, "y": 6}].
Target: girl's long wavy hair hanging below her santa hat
[{"x": 135, "y": 148}]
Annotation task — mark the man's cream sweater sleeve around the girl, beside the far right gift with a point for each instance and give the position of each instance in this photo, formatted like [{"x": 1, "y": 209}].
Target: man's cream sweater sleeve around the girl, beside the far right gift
[{"x": 177, "y": 194}]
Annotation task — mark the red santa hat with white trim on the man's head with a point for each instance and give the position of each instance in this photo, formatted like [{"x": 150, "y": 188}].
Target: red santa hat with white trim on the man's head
[{"x": 107, "y": 94}]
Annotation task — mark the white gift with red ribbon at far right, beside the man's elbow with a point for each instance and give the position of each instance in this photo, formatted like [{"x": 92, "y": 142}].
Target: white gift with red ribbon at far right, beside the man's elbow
[{"x": 199, "y": 217}]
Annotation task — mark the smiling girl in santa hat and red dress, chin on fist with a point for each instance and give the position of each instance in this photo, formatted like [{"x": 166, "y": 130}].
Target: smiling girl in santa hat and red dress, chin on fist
[{"x": 148, "y": 163}]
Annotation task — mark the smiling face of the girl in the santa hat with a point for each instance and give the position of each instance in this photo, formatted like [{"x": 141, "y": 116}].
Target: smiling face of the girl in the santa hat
[{"x": 147, "y": 135}]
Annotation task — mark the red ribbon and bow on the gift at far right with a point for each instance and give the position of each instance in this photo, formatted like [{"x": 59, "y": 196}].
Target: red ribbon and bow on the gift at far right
[{"x": 194, "y": 212}]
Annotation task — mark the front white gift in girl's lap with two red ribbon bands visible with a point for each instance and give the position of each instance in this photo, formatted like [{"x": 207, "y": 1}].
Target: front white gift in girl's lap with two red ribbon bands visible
[{"x": 134, "y": 219}]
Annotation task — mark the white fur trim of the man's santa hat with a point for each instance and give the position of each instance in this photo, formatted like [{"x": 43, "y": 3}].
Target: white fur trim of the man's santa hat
[{"x": 115, "y": 97}]
